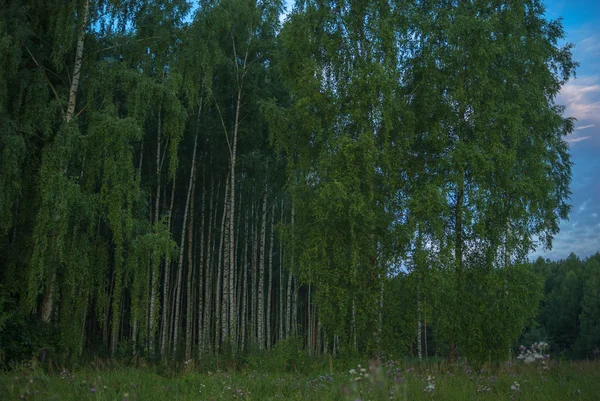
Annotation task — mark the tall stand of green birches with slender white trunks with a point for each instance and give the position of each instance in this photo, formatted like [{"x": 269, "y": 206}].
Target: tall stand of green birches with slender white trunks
[{"x": 177, "y": 178}]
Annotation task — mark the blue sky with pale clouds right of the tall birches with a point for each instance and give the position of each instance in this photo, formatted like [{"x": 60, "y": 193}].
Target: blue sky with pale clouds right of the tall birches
[{"x": 581, "y": 97}]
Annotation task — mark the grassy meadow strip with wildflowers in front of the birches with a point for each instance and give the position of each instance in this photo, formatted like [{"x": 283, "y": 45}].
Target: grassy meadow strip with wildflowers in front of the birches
[{"x": 371, "y": 381}]
